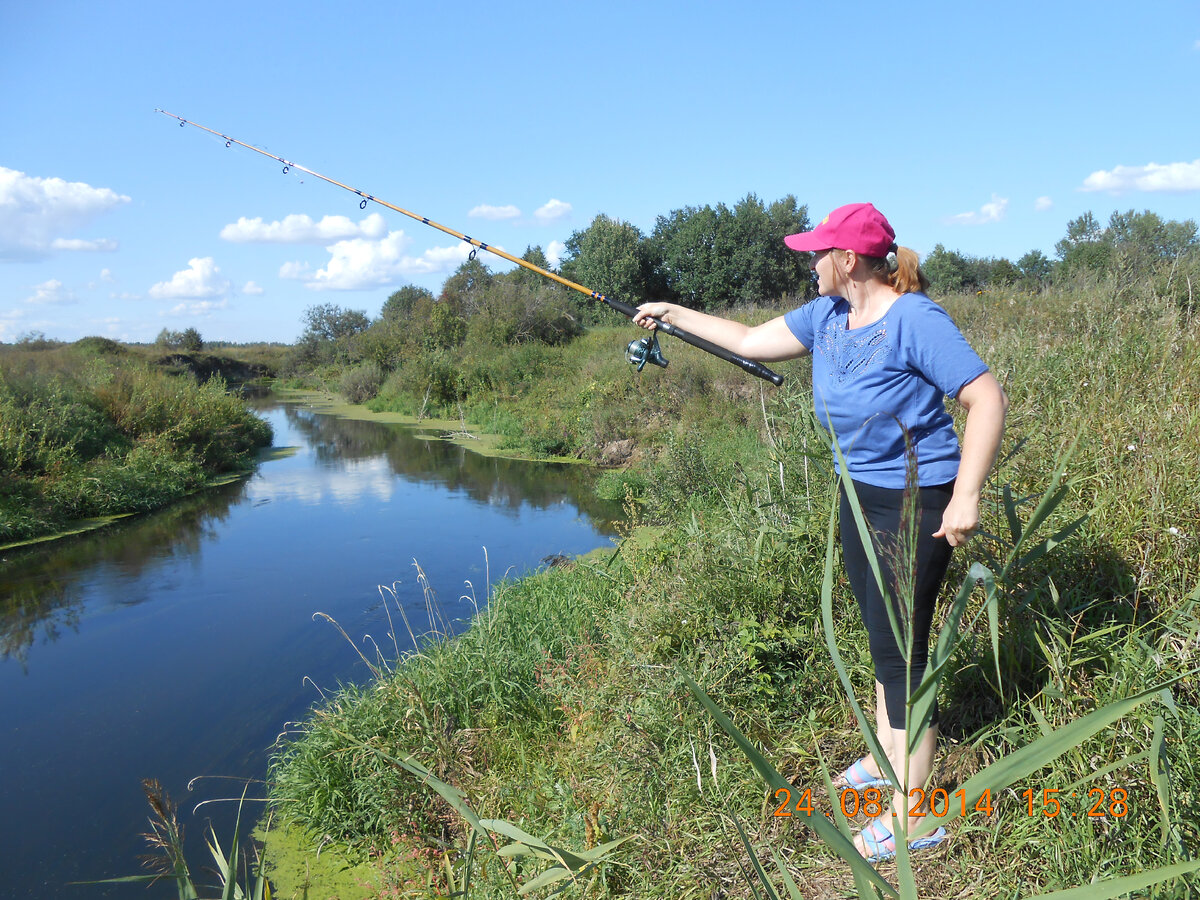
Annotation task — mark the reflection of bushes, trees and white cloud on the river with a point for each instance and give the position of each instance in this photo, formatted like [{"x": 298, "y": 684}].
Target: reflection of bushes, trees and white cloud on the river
[{"x": 40, "y": 591}]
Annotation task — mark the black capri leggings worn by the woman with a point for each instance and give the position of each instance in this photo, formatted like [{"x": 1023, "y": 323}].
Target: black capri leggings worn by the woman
[{"x": 883, "y": 509}]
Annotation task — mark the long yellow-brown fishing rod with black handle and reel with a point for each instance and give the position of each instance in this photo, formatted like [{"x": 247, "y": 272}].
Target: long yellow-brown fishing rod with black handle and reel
[{"x": 639, "y": 352}]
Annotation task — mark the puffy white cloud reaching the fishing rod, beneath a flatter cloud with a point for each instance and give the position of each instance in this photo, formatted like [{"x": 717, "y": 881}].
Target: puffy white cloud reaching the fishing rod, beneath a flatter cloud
[{"x": 363, "y": 265}]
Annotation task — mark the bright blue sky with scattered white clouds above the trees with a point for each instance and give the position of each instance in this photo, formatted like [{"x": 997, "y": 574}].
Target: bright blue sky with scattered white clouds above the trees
[{"x": 982, "y": 127}]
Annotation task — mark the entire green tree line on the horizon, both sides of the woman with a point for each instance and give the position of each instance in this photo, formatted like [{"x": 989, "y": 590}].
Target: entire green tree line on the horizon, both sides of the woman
[{"x": 705, "y": 257}]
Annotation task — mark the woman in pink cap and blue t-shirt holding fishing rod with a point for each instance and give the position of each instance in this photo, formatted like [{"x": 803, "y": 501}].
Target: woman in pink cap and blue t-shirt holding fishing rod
[{"x": 884, "y": 358}]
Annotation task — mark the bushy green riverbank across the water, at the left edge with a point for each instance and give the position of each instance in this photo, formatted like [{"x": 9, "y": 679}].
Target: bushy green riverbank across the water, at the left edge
[{"x": 93, "y": 433}]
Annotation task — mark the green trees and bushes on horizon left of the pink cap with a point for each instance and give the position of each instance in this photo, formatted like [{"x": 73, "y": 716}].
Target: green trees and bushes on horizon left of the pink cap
[{"x": 709, "y": 257}]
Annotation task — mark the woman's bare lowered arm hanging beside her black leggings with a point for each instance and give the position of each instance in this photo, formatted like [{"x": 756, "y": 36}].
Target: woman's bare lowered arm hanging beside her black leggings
[{"x": 987, "y": 406}]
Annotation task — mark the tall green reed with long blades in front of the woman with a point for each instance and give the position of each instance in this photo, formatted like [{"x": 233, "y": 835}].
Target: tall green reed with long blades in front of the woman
[{"x": 977, "y": 793}]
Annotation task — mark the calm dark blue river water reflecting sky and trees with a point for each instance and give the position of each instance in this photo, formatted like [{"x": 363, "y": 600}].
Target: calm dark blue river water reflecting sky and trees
[{"x": 181, "y": 644}]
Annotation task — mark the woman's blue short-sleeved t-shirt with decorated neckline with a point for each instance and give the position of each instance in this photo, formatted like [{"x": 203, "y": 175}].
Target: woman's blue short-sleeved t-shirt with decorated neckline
[{"x": 868, "y": 382}]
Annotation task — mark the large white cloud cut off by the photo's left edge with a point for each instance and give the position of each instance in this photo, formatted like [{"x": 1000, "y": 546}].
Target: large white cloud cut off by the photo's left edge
[{"x": 37, "y": 214}]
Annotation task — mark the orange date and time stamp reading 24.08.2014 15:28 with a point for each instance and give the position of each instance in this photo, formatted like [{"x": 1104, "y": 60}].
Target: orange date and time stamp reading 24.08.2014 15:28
[{"x": 941, "y": 803}]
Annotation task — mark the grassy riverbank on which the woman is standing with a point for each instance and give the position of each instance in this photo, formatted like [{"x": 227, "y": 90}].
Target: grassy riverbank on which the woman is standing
[{"x": 563, "y": 709}]
